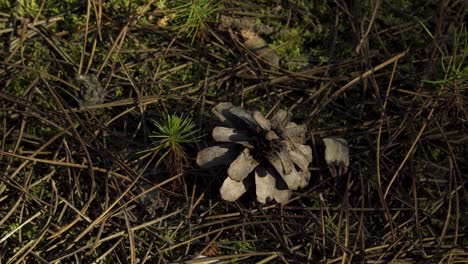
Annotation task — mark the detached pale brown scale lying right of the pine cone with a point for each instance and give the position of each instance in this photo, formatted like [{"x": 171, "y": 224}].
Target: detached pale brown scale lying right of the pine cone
[{"x": 336, "y": 155}]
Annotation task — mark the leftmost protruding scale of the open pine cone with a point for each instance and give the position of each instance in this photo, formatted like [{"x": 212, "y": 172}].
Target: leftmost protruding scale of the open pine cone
[{"x": 217, "y": 155}]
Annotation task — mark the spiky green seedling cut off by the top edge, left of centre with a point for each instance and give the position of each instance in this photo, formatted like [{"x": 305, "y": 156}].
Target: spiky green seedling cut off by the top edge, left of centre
[{"x": 193, "y": 17}]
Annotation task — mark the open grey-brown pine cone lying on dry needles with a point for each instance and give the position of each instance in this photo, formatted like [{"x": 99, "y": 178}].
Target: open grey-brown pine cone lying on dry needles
[{"x": 274, "y": 151}]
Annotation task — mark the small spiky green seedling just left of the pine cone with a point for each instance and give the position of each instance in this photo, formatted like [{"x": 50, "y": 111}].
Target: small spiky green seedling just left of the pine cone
[{"x": 170, "y": 136}]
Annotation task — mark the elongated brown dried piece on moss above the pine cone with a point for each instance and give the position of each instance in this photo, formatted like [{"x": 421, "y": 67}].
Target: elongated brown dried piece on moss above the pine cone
[{"x": 258, "y": 45}]
